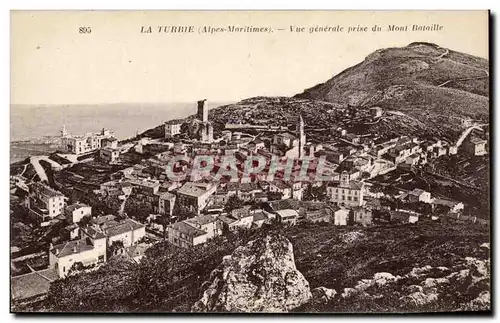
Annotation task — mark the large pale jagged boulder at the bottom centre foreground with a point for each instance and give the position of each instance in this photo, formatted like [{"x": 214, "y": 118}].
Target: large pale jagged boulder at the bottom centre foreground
[{"x": 258, "y": 277}]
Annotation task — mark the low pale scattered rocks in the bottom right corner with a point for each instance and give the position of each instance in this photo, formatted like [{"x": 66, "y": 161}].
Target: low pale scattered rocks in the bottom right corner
[{"x": 426, "y": 285}]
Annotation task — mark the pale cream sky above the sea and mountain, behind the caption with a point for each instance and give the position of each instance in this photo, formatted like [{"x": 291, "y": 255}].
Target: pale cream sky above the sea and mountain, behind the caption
[{"x": 51, "y": 63}]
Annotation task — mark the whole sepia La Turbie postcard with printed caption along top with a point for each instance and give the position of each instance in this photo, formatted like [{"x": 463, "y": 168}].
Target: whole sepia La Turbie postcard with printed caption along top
[{"x": 250, "y": 161}]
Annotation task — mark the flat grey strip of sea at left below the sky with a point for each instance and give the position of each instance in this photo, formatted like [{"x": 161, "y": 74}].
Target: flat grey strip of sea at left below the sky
[{"x": 29, "y": 122}]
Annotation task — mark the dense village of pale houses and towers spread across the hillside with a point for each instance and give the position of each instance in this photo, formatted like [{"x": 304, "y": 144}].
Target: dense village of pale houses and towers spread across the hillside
[{"x": 99, "y": 198}]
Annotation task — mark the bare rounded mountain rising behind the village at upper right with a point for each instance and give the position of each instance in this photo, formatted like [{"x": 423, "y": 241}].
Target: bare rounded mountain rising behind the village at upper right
[{"x": 418, "y": 78}]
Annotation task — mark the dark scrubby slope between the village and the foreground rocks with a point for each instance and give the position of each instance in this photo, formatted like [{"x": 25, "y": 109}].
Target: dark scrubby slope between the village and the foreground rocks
[{"x": 172, "y": 279}]
